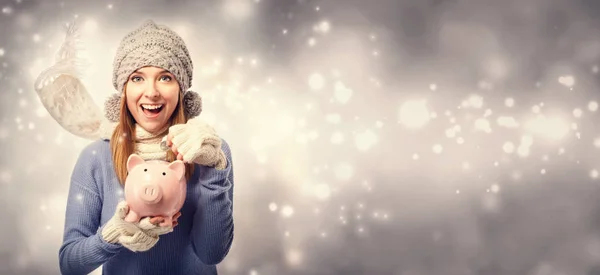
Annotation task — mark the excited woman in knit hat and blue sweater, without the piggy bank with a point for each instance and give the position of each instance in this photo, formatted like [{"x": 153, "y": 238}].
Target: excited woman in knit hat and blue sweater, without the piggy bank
[{"x": 152, "y": 73}]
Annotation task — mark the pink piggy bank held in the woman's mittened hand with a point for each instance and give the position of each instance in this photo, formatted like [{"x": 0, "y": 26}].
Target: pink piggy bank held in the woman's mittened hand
[{"x": 154, "y": 188}]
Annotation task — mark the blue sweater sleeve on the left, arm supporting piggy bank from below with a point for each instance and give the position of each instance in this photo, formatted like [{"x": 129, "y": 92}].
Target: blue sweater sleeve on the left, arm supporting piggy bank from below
[{"x": 83, "y": 249}]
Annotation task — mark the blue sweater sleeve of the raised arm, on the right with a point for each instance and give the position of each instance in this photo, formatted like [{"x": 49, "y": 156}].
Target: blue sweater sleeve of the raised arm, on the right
[{"x": 212, "y": 229}]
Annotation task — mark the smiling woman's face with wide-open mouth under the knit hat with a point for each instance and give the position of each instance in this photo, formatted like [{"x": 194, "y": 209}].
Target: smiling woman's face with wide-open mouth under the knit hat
[{"x": 152, "y": 94}]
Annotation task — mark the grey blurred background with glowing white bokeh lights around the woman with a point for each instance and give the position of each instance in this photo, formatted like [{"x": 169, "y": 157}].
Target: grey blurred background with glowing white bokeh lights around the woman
[{"x": 368, "y": 137}]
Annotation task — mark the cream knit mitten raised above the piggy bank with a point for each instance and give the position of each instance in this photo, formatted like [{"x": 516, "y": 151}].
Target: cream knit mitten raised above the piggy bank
[{"x": 198, "y": 142}]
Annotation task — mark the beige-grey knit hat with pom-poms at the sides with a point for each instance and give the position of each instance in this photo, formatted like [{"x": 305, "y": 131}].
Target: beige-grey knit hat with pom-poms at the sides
[{"x": 153, "y": 45}]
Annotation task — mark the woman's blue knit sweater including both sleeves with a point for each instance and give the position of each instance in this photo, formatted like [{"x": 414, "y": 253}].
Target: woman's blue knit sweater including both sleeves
[{"x": 200, "y": 241}]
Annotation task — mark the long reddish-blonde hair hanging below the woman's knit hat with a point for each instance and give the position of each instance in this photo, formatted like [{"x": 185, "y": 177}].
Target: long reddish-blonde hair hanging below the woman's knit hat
[{"x": 122, "y": 140}]
